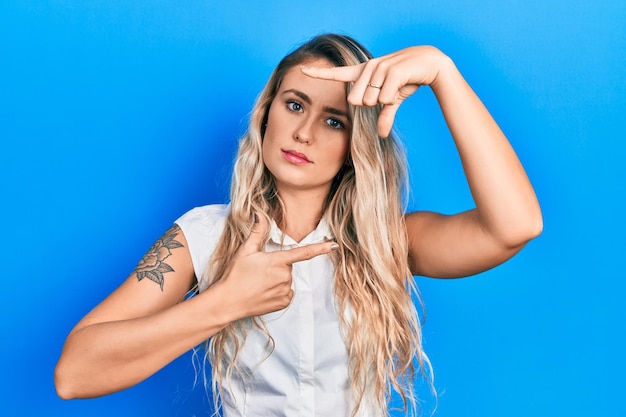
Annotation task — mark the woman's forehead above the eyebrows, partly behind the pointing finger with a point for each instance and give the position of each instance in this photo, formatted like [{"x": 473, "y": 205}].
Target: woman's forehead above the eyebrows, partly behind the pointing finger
[{"x": 323, "y": 92}]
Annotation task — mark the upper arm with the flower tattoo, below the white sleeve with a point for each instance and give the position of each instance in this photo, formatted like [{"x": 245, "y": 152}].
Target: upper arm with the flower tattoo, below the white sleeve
[{"x": 161, "y": 279}]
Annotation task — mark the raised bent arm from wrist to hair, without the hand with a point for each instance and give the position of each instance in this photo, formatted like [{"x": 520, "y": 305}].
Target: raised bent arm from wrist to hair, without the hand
[{"x": 507, "y": 213}]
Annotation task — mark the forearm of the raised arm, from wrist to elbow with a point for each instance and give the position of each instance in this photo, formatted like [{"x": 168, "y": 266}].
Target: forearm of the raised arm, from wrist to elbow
[{"x": 506, "y": 204}]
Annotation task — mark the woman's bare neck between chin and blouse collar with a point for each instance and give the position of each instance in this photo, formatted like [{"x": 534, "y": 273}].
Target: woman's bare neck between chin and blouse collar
[{"x": 303, "y": 211}]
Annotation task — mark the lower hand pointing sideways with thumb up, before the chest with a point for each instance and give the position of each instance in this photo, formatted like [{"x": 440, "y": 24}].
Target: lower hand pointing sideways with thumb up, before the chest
[{"x": 258, "y": 282}]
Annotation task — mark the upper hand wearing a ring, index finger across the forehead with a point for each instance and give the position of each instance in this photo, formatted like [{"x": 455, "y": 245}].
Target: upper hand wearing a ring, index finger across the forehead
[{"x": 387, "y": 80}]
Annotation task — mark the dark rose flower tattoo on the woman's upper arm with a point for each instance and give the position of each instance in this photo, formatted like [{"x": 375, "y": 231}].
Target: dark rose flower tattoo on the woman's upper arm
[{"x": 152, "y": 266}]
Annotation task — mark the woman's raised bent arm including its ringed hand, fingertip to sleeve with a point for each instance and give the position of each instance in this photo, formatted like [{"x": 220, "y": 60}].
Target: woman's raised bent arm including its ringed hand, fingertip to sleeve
[{"x": 507, "y": 213}]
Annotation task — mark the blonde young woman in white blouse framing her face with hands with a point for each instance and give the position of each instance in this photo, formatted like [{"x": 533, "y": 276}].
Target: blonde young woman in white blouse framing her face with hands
[{"x": 304, "y": 280}]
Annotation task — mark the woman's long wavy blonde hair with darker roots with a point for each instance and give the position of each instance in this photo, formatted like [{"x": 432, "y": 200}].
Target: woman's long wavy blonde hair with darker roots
[{"x": 373, "y": 285}]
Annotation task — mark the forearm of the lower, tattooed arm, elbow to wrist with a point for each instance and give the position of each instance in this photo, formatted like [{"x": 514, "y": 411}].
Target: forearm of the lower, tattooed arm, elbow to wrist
[{"x": 107, "y": 357}]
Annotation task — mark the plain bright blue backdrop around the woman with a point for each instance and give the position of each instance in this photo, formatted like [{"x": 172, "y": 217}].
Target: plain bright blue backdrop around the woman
[{"x": 116, "y": 117}]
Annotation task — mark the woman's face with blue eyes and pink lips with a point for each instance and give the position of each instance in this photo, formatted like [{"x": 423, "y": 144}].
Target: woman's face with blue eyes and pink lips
[{"x": 307, "y": 136}]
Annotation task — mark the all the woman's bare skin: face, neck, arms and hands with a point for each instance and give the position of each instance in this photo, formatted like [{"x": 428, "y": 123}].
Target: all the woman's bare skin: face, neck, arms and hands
[{"x": 144, "y": 325}]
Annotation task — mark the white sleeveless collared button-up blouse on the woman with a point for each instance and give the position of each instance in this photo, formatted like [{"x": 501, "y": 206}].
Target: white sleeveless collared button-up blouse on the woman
[{"x": 307, "y": 373}]
